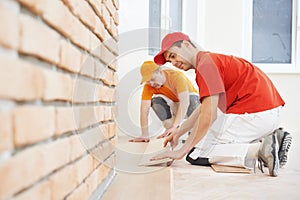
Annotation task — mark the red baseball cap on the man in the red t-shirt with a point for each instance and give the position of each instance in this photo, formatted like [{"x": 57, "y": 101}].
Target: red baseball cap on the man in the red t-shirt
[{"x": 166, "y": 43}]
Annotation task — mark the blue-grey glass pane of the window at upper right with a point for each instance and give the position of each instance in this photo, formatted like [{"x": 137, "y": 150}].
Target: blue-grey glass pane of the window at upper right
[{"x": 272, "y": 31}]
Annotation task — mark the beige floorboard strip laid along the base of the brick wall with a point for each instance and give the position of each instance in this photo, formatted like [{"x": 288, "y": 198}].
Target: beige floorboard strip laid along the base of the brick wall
[{"x": 133, "y": 181}]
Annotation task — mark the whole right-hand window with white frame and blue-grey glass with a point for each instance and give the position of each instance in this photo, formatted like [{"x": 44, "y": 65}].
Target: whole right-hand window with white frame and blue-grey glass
[{"x": 272, "y": 32}]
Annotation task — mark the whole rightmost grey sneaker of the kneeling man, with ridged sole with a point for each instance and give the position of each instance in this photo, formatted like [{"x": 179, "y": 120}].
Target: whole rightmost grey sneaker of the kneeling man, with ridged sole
[{"x": 284, "y": 140}]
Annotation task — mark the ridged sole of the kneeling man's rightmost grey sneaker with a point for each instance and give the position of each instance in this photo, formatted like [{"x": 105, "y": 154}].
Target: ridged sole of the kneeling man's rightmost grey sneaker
[{"x": 284, "y": 148}]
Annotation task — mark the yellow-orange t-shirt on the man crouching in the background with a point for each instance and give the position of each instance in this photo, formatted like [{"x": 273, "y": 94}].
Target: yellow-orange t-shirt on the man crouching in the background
[{"x": 176, "y": 82}]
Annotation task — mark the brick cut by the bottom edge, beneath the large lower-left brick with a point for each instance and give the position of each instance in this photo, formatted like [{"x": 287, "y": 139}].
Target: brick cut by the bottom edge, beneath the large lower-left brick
[{"x": 38, "y": 191}]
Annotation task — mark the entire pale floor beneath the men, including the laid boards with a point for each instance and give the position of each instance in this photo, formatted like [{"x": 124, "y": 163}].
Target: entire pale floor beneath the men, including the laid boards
[{"x": 183, "y": 181}]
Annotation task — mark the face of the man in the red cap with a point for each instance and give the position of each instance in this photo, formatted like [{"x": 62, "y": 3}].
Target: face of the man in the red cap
[{"x": 175, "y": 55}]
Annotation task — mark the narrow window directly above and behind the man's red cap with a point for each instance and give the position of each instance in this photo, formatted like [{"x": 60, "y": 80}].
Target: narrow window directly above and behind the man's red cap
[{"x": 164, "y": 16}]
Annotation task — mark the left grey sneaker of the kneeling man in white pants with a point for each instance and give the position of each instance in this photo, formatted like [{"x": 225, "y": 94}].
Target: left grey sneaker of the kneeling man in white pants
[{"x": 268, "y": 154}]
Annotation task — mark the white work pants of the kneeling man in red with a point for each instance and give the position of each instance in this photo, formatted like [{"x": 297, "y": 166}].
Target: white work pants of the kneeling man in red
[{"x": 228, "y": 139}]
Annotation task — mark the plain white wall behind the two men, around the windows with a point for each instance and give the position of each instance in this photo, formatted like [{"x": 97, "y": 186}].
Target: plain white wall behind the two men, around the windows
[{"x": 217, "y": 26}]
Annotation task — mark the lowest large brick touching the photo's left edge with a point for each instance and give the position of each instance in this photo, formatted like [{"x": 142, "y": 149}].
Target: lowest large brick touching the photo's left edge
[{"x": 32, "y": 164}]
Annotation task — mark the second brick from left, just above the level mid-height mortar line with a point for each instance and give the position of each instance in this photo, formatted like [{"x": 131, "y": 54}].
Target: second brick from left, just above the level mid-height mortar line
[{"x": 58, "y": 86}]
